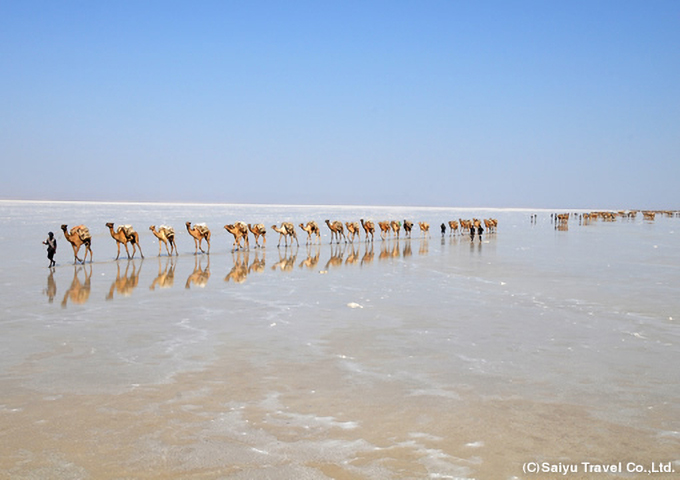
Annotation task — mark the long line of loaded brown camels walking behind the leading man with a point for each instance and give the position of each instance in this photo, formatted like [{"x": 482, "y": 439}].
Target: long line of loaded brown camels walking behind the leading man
[{"x": 349, "y": 232}]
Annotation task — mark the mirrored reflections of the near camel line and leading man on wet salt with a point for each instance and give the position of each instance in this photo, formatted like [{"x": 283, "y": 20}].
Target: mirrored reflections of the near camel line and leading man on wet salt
[{"x": 313, "y": 257}]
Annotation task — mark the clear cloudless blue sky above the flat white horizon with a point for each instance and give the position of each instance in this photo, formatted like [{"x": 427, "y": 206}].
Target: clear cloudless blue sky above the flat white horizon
[{"x": 538, "y": 104}]
